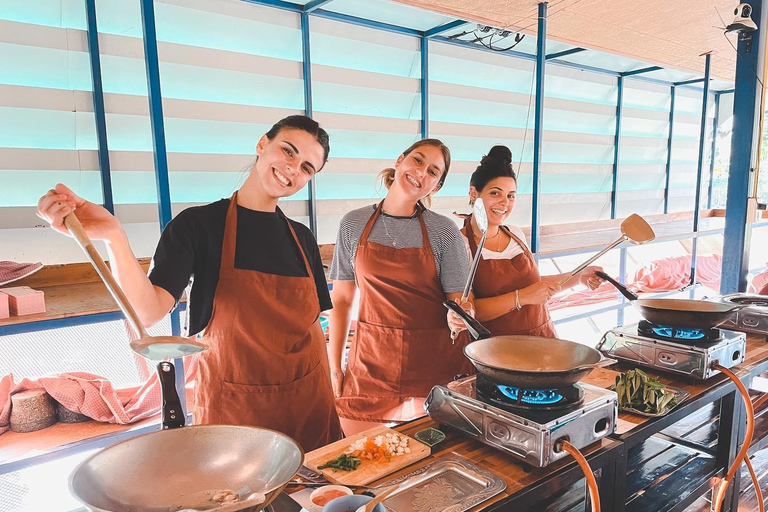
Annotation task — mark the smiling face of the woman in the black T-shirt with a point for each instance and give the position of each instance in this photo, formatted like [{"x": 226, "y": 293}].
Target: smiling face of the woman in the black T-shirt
[{"x": 288, "y": 161}]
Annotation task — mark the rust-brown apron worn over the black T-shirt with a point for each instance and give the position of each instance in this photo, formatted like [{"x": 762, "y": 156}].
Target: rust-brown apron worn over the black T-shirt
[{"x": 267, "y": 365}]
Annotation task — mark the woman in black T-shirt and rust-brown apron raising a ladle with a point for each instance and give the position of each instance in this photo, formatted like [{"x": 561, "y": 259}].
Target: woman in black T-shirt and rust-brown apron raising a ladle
[{"x": 258, "y": 288}]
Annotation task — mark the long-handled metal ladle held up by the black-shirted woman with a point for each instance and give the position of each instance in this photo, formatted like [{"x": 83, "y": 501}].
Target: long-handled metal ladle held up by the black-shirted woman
[{"x": 151, "y": 347}]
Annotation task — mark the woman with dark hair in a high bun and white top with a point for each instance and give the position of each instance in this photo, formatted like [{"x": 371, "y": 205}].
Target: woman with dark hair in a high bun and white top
[{"x": 510, "y": 295}]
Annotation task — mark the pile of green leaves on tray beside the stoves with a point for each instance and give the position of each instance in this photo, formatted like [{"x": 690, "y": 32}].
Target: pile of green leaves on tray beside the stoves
[{"x": 638, "y": 391}]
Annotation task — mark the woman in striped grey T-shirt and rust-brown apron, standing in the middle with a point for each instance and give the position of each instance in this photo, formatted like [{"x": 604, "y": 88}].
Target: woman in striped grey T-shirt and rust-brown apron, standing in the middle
[{"x": 405, "y": 260}]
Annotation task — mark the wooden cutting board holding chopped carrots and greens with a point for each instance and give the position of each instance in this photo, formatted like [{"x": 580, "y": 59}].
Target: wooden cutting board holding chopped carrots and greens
[{"x": 368, "y": 470}]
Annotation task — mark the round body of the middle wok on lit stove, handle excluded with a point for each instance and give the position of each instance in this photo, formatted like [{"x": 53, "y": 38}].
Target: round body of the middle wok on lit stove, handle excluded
[{"x": 534, "y": 362}]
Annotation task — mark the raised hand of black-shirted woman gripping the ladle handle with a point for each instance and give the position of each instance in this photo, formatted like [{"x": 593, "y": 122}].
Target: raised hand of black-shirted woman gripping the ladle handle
[{"x": 59, "y": 202}]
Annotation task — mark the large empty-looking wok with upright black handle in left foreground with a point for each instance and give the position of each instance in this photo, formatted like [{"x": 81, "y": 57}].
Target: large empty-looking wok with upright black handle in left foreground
[{"x": 178, "y": 468}]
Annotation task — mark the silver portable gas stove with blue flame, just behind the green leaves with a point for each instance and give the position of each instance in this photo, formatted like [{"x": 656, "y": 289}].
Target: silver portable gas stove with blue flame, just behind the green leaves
[{"x": 689, "y": 352}]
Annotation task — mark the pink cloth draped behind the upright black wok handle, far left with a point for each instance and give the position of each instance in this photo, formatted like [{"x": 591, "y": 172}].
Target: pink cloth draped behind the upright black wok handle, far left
[{"x": 92, "y": 395}]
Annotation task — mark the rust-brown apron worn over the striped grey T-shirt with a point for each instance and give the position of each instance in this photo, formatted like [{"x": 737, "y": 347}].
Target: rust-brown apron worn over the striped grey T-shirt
[{"x": 402, "y": 345}]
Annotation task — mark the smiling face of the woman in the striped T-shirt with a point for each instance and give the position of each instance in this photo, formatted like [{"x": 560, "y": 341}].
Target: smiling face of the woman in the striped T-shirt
[{"x": 418, "y": 173}]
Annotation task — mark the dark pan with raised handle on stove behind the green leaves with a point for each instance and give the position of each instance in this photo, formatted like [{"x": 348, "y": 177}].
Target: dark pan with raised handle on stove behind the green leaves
[{"x": 681, "y": 313}]
